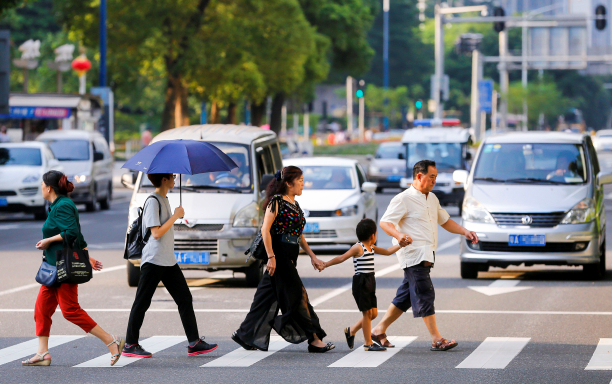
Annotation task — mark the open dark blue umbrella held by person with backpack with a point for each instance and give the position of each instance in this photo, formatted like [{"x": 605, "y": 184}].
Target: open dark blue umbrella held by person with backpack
[{"x": 187, "y": 157}]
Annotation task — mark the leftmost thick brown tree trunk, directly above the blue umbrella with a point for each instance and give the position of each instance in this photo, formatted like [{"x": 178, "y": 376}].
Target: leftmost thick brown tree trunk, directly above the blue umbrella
[{"x": 176, "y": 109}]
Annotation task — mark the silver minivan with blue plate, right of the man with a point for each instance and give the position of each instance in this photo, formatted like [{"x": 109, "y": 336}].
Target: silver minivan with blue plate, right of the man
[{"x": 535, "y": 198}]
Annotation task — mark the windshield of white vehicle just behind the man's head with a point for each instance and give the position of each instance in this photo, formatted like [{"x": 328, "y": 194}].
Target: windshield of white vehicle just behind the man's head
[{"x": 446, "y": 155}]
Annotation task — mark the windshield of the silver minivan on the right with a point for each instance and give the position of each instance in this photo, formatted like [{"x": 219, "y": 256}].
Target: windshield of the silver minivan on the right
[{"x": 531, "y": 163}]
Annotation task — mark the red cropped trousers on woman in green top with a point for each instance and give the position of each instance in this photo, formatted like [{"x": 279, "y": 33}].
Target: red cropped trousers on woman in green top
[{"x": 67, "y": 296}]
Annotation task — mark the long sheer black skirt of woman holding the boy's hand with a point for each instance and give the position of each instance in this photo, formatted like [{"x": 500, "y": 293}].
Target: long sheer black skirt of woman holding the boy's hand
[{"x": 283, "y": 291}]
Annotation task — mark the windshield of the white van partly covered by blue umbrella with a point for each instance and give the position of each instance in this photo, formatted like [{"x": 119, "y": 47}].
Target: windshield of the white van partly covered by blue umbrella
[{"x": 236, "y": 181}]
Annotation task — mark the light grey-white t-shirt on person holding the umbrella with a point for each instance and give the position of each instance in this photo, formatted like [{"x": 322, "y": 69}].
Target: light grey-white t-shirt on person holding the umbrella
[{"x": 159, "y": 252}]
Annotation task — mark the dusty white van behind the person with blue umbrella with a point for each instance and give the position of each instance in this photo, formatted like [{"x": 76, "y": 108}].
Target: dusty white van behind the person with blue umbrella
[{"x": 223, "y": 210}]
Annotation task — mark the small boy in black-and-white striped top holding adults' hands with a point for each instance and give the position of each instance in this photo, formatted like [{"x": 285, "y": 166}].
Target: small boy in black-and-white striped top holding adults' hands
[{"x": 364, "y": 283}]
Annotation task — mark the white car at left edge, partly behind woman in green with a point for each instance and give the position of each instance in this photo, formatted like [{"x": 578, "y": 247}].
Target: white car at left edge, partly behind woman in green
[{"x": 21, "y": 168}]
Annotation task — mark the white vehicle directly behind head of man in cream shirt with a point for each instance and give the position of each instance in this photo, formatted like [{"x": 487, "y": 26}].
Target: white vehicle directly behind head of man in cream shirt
[{"x": 449, "y": 148}]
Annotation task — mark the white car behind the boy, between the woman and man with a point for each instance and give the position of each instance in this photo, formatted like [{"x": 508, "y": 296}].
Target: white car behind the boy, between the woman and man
[{"x": 336, "y": 196}]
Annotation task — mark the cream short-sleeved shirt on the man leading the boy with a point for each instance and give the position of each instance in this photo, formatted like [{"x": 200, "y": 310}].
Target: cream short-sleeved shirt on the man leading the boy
[{"x": 417, "y": 215}]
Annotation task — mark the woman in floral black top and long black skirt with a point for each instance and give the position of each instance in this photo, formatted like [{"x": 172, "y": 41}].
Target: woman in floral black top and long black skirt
[{"x": 281, "y": 286}]
